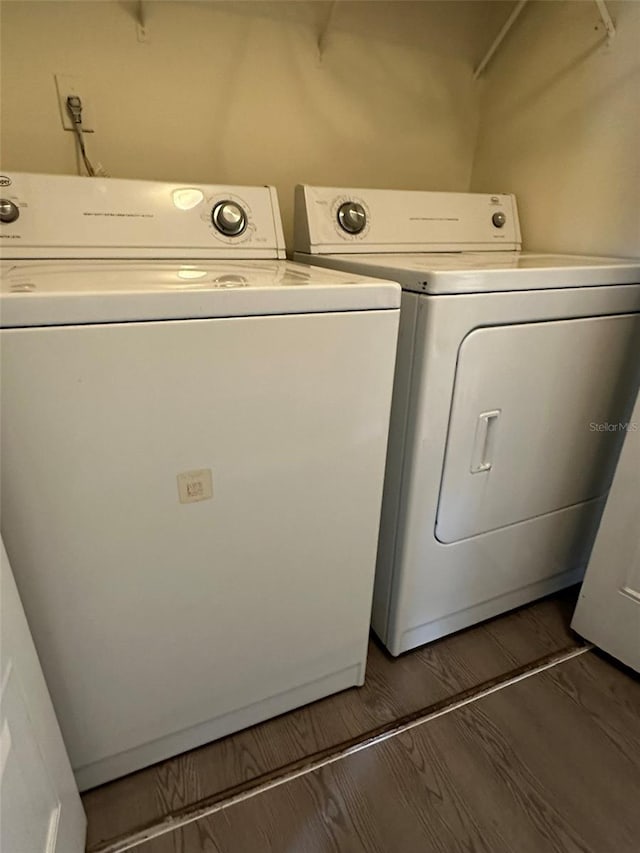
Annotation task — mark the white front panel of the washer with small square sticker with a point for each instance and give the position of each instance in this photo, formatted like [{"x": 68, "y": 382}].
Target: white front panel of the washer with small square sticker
[{"x": 152, "y": 615}]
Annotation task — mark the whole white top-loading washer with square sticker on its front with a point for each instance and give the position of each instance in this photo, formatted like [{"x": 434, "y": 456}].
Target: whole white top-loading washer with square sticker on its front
[{"x": 193, "y": 455}]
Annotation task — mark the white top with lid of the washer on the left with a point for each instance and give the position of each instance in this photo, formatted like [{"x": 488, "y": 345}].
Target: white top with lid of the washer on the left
[{"x": 34, "y": 293}]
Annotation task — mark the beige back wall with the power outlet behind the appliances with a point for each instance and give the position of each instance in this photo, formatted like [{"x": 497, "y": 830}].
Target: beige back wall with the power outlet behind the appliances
[{"x": 236, "y": 92}]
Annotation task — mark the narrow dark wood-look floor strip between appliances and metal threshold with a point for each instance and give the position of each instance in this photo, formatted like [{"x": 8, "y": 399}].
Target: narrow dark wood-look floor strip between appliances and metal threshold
[{"x": 394, "y": 689}]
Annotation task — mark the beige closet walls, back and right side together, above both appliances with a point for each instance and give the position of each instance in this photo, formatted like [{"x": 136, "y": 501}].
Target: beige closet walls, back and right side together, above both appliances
[{"x": 236, "y": 92}]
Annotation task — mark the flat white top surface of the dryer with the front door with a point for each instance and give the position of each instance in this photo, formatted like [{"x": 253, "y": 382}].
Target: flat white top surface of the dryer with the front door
[{"x": 486, "y": 272}]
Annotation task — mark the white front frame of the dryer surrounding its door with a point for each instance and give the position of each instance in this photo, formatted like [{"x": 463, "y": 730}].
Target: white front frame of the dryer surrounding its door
[{"x": 439, "y": 588}]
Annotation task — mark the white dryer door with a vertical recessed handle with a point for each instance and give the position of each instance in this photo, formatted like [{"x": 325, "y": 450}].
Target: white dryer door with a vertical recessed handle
[{"x": 537, "y": 420}]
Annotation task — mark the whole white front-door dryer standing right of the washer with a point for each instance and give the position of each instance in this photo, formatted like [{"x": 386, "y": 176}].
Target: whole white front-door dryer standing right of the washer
[{"x": 513, "y": 369}]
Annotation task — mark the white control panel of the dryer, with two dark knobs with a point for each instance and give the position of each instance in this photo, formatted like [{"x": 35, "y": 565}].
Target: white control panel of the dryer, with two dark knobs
[{"x": 330, "y": 220}]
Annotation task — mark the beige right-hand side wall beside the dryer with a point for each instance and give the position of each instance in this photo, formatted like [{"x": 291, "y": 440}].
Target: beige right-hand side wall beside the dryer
[{"x": 560, "y": 127}]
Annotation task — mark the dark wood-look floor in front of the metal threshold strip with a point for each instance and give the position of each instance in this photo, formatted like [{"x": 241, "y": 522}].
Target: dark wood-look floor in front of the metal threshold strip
[{"x": 549, "y": 764}]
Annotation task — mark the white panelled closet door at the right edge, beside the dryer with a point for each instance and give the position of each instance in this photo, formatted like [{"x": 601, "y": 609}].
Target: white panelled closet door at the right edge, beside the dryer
[{"x": 608, "y": 611}]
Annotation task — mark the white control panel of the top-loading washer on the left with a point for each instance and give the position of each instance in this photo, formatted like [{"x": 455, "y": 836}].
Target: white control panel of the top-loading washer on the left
[{"x": 63, "y": 216}]
